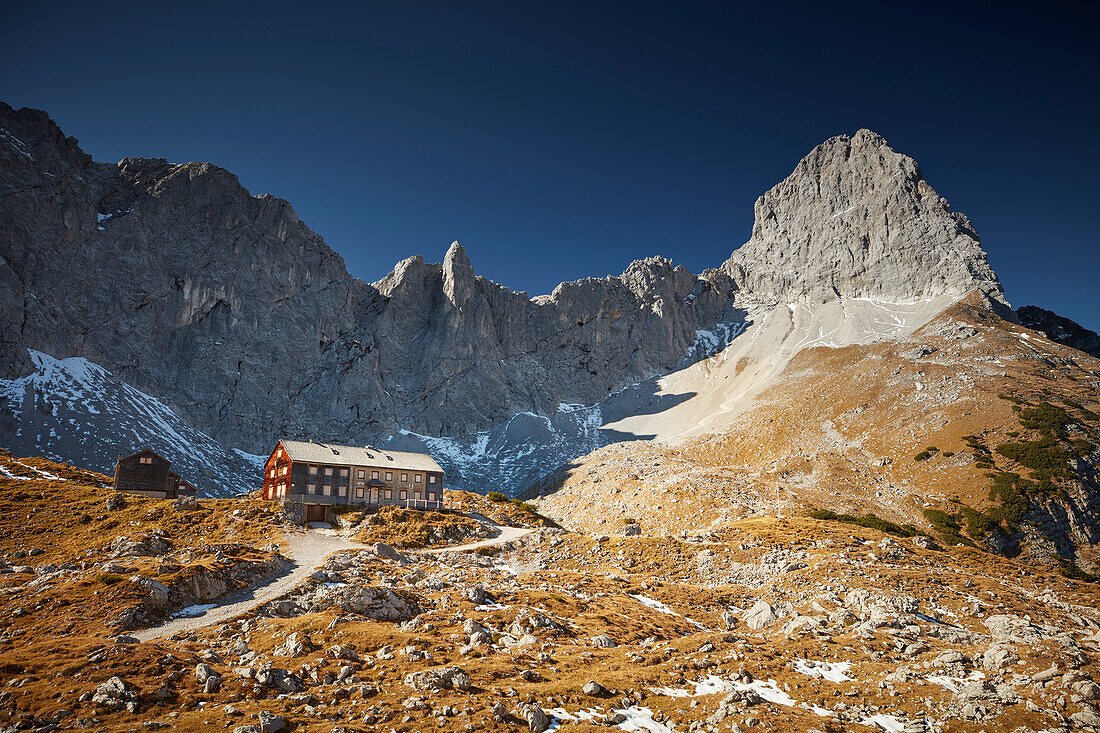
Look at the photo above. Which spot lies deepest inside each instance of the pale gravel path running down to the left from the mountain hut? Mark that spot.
(307, 552)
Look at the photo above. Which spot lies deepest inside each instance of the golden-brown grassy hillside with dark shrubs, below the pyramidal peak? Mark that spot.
(973, 430)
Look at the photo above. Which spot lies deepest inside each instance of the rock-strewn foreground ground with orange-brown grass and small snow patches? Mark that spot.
(758, 625)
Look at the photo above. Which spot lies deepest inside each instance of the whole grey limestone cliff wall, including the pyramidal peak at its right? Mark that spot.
(227, 305)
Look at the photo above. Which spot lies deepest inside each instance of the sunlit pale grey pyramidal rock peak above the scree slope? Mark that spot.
(857, 220)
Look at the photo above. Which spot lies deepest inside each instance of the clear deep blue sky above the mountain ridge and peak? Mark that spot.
(558, 141)
